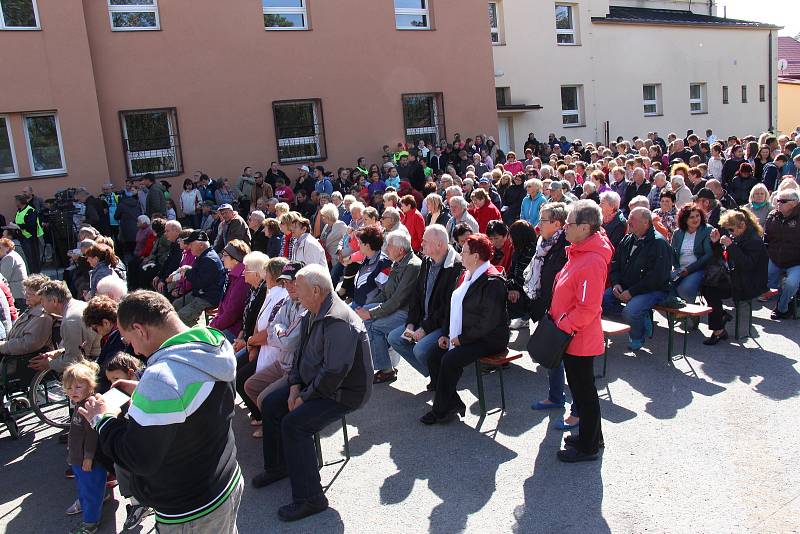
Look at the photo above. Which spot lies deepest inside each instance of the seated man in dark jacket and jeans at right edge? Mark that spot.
(782, 235)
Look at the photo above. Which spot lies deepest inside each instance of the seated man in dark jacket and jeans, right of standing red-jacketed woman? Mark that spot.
(640, 276)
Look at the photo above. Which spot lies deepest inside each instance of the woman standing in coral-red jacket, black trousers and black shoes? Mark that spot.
(576, 308)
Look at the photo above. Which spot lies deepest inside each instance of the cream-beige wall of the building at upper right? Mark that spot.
(607, 64)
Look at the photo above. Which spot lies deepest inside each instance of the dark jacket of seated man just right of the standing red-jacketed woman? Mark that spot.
(647, 269)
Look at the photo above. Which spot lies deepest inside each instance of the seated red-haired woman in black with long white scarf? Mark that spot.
(478, 327)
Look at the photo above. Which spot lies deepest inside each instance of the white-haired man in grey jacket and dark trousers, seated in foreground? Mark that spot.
(331, 377)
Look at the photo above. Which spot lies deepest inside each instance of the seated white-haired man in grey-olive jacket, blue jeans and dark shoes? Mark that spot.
(389, 310)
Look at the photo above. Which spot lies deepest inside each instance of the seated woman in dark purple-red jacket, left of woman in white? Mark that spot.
(229, 313)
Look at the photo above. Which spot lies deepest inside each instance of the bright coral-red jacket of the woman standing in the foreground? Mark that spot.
(577, 304)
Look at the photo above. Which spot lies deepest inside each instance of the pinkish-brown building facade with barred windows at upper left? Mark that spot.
(95, 91)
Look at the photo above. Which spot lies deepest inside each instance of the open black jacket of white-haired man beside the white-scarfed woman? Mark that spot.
(439, 303)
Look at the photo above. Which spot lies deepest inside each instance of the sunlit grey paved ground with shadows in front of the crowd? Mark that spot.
(707, 445)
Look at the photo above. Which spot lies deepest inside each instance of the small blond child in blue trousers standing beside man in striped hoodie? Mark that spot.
(80, 381)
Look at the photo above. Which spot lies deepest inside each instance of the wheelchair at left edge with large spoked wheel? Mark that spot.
(24, 390)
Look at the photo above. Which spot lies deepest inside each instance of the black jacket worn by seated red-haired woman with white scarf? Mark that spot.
(484, 315)
